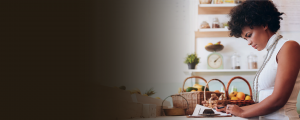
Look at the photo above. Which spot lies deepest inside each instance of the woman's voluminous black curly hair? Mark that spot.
(253, 13)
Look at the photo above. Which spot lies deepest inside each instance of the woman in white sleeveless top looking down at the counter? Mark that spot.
(277, 81)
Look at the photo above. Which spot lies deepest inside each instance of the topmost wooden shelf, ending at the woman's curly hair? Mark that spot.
(215, 8)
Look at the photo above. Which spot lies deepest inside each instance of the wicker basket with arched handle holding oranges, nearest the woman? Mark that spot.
(240, 102)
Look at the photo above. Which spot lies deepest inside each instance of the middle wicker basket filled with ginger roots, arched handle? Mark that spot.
(214, 103)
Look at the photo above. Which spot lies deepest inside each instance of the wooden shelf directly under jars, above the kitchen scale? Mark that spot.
(212, 33)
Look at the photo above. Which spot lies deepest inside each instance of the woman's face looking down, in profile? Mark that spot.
(257, 37)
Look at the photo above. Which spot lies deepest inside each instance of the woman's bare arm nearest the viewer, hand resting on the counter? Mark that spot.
(288, 60)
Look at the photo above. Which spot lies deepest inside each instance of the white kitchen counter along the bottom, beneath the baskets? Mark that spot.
(185, 118)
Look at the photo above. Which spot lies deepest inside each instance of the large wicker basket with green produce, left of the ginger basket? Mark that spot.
(193, 98)
